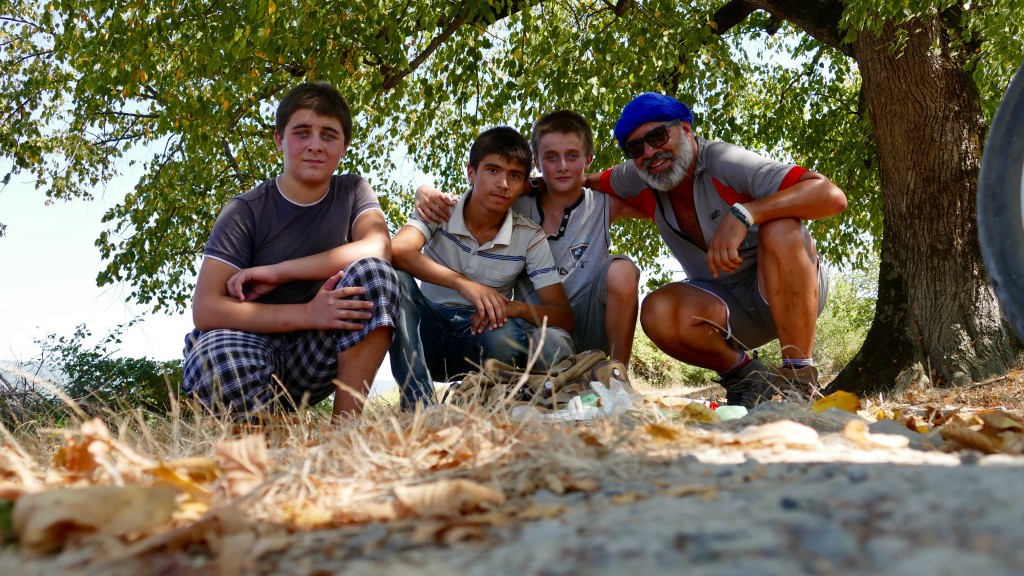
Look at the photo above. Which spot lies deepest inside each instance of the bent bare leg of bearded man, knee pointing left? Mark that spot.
(685, 322)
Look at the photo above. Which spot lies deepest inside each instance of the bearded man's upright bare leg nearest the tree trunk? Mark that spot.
(789, 277)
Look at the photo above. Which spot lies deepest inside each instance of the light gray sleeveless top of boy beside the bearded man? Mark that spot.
(580, 245)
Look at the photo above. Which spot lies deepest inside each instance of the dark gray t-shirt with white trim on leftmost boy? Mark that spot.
(263, 227)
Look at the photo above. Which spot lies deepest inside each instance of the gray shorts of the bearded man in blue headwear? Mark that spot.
(750, 321)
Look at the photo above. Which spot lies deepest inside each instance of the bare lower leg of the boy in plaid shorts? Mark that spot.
(358, 368)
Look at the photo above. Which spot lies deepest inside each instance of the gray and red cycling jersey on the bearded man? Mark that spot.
(724, 175)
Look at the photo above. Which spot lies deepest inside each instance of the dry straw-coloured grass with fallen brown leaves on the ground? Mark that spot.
(443, 476)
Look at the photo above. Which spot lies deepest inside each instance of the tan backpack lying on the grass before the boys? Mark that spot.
(549, 390)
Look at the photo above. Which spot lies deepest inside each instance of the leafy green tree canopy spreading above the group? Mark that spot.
(194, 87)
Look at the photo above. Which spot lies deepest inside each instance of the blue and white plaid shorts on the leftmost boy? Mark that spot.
(240, 372)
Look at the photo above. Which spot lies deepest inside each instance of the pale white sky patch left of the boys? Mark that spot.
(50, 279)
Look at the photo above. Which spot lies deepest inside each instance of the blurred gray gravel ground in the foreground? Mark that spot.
(828, 508)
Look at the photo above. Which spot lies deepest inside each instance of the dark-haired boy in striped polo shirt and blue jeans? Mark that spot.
(462, 313)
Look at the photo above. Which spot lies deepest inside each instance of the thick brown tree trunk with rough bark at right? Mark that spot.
(937, 319)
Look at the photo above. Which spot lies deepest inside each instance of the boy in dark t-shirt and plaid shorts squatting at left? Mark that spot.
(295, 290)
